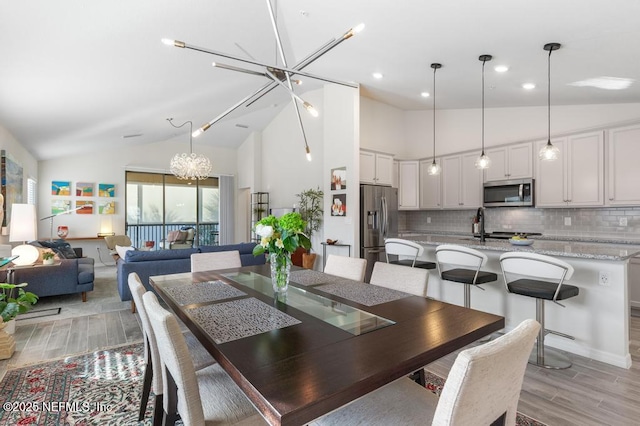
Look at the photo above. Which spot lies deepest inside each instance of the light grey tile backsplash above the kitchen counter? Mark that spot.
(585, 222)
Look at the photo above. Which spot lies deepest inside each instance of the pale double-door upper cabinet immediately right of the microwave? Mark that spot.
(576, 178)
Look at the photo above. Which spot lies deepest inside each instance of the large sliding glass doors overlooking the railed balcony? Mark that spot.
(158, 204)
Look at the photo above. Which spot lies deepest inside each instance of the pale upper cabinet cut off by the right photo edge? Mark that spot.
(623, 171)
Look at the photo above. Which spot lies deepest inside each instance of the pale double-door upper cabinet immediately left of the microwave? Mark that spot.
(461, 182)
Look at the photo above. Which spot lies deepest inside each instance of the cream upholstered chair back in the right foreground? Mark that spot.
(485, 381)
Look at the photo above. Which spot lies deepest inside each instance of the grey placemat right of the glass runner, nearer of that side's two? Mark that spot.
(363, 293)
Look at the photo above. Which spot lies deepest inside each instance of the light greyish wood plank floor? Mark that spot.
(589, 393)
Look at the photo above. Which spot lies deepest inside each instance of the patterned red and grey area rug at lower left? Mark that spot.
(99, 388)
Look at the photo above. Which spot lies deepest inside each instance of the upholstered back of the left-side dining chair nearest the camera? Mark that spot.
(176, 360)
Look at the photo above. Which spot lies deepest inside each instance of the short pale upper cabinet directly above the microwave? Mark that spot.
(510, 162)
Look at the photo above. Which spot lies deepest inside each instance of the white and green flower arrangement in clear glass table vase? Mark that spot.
(280, 237)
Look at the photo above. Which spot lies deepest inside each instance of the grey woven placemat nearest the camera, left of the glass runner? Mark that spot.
(236, 319)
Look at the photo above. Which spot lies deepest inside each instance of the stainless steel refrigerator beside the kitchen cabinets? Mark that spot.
(378, 220)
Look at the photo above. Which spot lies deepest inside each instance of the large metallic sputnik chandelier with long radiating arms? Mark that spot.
(277, 75)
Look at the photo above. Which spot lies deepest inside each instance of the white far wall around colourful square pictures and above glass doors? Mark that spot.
(109, 167)
